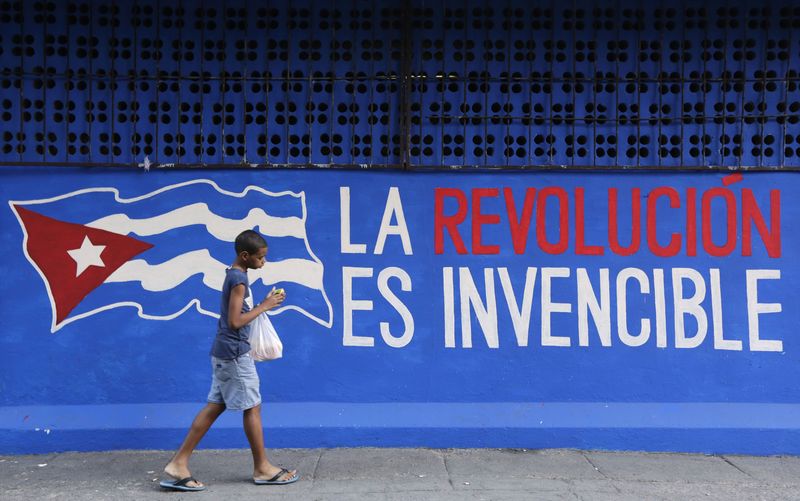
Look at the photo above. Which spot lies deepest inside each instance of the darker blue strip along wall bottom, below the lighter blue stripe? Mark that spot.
(756, 442)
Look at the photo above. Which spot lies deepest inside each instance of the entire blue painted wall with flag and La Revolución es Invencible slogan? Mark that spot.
(614, 310)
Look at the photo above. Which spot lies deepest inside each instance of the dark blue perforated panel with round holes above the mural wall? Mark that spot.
(488, 84)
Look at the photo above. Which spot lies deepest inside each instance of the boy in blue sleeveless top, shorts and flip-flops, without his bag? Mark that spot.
(235, 383)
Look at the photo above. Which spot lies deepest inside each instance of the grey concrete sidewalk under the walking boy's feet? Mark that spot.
(409, 474)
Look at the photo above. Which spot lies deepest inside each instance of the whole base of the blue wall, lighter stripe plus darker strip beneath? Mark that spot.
(732, 428)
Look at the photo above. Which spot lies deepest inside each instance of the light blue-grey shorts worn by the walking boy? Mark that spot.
(235, 383)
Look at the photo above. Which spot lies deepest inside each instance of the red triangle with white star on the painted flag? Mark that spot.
(73, 259)
